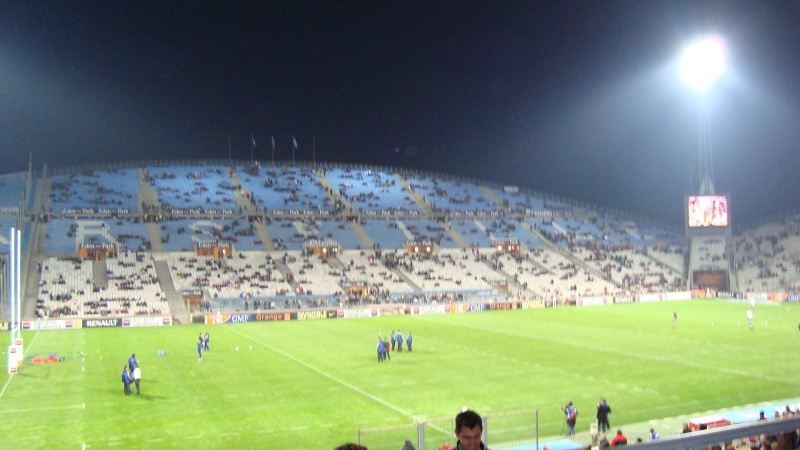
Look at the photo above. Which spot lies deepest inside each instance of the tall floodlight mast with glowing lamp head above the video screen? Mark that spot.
(702, 64)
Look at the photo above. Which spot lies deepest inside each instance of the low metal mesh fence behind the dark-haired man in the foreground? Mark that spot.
(505, 430)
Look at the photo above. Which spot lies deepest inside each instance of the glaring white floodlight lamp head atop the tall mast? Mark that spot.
(703, 63)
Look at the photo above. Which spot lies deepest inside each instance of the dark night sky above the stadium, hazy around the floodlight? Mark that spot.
(580, 99)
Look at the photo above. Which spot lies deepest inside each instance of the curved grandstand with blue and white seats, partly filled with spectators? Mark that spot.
(189, 237)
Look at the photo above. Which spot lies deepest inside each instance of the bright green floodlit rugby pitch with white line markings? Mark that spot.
(313, 384)
